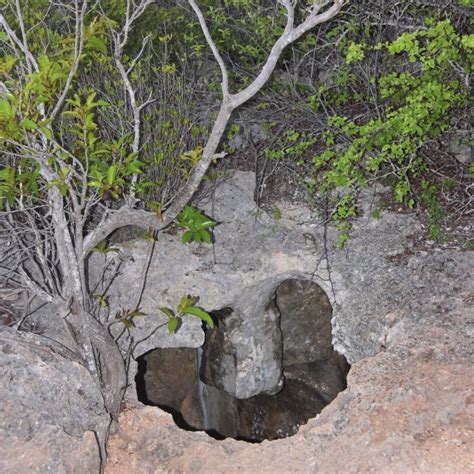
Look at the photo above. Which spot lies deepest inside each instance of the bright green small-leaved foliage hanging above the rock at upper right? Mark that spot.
(416, 98)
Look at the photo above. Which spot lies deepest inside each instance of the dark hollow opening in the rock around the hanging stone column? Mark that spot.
(312, 372)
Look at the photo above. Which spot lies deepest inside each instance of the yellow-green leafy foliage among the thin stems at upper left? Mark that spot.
(76, 142)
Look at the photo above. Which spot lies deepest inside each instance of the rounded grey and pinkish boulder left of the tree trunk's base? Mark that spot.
(51, 412)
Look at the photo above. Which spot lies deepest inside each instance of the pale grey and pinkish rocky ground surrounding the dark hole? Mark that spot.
(402, 316)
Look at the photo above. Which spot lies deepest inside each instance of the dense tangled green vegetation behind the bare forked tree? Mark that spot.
(378, 94)
